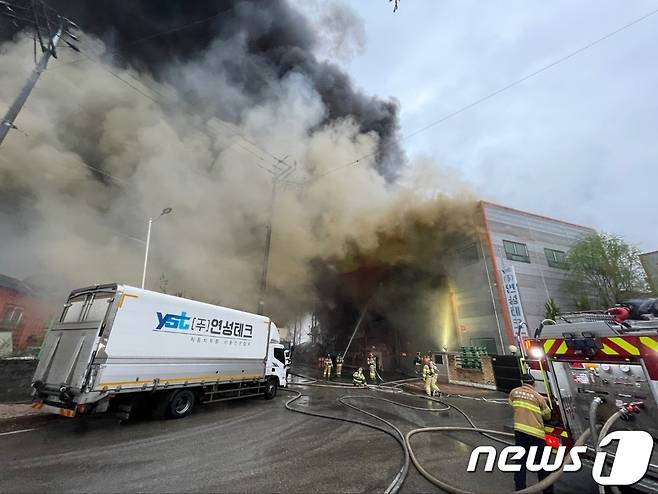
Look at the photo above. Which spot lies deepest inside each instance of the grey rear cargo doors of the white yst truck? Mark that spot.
(71, 343)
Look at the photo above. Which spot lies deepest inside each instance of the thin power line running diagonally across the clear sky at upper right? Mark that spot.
(494, 93)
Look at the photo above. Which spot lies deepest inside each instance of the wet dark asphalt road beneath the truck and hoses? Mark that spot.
(254, 445)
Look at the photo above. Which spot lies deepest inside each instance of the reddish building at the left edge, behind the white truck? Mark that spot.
(34, 321)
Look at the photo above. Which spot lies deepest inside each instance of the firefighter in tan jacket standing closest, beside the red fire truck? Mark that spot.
(530, 410)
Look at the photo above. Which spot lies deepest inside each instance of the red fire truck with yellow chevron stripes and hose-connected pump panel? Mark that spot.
(589, 366)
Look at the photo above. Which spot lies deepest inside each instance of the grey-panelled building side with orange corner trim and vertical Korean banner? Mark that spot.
(502, 283)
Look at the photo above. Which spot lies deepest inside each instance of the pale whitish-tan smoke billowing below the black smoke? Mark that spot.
(93, 159)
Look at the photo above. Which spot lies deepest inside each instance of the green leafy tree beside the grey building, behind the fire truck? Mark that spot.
(604, 270)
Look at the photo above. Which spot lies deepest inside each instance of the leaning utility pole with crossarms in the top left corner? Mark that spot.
(48, 28)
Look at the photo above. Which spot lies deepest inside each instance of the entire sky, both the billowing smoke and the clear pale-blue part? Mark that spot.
(322, 84)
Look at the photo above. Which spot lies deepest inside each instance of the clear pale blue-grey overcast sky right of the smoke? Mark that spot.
(577, 142)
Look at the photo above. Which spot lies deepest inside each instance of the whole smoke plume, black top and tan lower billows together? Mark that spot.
(93, 158)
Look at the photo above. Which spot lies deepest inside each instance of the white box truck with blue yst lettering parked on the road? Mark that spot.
(119, 348)
